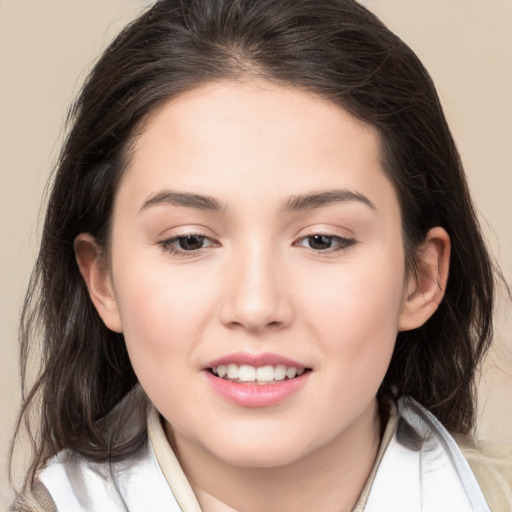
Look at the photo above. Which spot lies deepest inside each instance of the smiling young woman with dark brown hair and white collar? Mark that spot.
(261, 285)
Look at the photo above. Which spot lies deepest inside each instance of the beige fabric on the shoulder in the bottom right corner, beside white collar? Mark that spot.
(491, 464)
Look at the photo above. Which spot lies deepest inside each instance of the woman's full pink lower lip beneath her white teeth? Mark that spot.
(256, 395)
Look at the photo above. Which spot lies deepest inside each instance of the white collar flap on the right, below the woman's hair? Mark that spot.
(423, 469)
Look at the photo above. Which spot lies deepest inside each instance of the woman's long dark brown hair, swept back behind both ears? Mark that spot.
(333, 48)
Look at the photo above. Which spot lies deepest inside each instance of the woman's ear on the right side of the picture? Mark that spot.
(425, 287)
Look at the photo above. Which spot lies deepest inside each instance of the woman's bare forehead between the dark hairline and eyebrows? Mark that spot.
(237, 139)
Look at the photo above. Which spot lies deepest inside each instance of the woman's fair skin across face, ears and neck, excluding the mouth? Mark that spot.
(257, 285)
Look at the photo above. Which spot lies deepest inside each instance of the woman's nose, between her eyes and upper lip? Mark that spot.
(256, 296)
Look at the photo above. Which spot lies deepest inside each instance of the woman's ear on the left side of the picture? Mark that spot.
(98, 280)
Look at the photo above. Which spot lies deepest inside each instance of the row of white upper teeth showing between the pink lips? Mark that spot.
(247, 374)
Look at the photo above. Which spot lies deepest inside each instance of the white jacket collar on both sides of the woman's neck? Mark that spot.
(419, 468)
